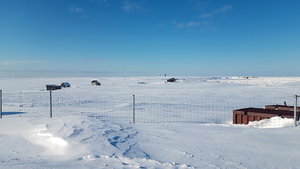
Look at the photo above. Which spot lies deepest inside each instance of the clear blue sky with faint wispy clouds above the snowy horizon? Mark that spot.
(151, 37)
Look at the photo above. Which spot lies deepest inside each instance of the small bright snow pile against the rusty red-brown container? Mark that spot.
(274, 122)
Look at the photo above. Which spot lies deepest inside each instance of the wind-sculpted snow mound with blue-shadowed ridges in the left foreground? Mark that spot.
(75, 142)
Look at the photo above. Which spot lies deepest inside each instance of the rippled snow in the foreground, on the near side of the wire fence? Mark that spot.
(92, 142)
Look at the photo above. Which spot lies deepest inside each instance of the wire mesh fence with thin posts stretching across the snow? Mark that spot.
(141, 109)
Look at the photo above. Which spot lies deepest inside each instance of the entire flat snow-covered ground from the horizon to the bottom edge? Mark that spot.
(92, 126)
